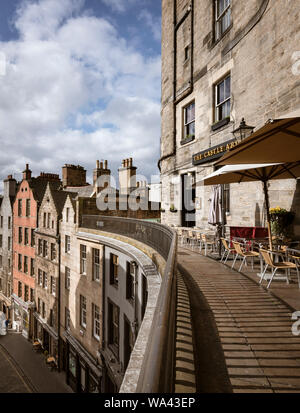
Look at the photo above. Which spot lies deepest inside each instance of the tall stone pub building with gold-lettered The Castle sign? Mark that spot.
(222, 61)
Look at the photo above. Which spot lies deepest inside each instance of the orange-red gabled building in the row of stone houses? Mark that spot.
(25, 221)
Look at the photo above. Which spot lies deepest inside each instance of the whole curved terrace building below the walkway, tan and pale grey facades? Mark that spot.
(102, 299)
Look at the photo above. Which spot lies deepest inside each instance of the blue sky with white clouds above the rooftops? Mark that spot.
(79, 81)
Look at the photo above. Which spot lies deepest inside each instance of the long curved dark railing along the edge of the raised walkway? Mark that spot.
(158, 367)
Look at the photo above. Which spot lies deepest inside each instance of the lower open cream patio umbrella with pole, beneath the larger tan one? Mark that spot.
(254, 172)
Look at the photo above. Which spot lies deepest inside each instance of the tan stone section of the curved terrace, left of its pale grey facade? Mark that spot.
(80, 297)
